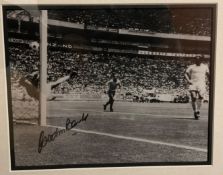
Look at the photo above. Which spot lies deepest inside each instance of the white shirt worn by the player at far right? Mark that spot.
(196, 73)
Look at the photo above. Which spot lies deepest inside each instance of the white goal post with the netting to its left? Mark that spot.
(28, 77)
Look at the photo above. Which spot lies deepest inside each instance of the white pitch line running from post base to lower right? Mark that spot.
(135, 139)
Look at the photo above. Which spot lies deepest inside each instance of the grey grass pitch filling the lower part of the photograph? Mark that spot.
(134, 133)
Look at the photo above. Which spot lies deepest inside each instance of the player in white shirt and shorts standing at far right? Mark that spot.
(196, 77)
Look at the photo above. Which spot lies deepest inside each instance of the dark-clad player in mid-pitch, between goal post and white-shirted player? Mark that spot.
(112, 86)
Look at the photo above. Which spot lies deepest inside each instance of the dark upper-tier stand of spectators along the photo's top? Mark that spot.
(163, 20)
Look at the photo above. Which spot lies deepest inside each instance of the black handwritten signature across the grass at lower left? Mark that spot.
(43, 140)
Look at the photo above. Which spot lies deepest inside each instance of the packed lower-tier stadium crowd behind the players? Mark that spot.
(95, 69)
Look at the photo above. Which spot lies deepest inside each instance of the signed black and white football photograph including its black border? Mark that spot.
(110, 86)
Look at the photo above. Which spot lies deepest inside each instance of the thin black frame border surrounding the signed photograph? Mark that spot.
(89, 165)
